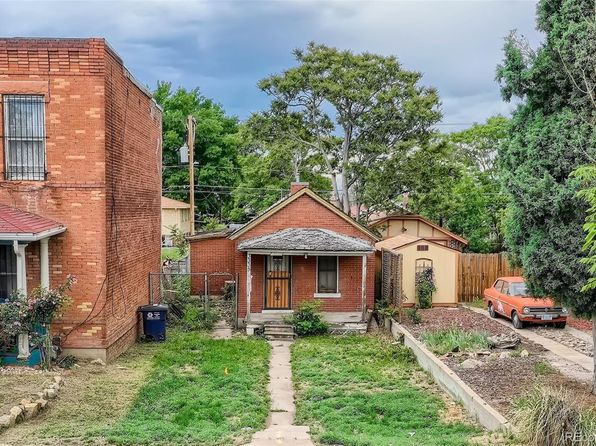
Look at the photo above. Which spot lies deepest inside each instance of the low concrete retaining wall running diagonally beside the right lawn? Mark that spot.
(479, 409)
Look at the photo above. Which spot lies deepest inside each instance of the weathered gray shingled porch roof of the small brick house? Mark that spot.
(306, 240)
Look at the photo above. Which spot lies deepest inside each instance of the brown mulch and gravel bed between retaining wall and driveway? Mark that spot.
(500, 376)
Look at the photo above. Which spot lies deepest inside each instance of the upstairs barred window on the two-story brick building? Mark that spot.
(24, 137)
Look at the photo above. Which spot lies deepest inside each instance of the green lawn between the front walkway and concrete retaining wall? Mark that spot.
(357, 391)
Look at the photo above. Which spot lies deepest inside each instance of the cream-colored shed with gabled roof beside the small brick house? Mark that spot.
(417, 254)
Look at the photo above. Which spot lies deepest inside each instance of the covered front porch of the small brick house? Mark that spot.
(287, 267)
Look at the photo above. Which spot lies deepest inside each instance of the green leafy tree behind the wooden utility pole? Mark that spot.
(217, 169)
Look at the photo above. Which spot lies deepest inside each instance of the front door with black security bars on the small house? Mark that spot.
(277, 283)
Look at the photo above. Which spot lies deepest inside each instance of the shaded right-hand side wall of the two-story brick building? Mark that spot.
(133, 196)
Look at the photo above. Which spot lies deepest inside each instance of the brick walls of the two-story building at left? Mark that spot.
(72, 76)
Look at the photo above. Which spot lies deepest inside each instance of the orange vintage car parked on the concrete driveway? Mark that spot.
(508, 297)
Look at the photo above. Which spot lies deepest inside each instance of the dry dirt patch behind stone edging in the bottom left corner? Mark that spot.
(18, 383)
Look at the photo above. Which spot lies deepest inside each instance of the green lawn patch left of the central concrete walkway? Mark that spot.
(200, 392)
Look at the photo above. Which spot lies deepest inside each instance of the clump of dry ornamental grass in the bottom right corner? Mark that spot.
(555, 417)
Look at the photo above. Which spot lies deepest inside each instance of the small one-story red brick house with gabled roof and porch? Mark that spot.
(301, 248)
